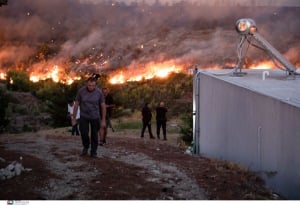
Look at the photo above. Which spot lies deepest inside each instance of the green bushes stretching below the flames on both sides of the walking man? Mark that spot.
(129, 98)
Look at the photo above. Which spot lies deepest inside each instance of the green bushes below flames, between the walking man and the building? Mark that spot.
(174, 91)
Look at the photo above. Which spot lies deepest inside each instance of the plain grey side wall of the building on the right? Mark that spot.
(257, 131)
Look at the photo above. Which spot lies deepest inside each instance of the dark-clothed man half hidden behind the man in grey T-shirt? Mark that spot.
(109, 102)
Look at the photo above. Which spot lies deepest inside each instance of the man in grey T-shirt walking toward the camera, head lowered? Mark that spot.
(91, 100)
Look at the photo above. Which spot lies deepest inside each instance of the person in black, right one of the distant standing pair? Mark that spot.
(161, 120)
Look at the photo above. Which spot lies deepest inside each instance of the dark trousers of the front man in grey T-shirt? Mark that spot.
(85, 124)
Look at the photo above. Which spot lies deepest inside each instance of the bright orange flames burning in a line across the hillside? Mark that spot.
(122, 75)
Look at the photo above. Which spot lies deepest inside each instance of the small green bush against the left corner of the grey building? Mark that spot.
(186, 127)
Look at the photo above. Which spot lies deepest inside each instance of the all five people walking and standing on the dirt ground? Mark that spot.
(94, 107)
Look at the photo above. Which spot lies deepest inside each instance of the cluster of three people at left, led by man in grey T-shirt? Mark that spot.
(95, 107)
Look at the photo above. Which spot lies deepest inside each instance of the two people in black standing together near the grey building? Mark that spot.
(161, 120)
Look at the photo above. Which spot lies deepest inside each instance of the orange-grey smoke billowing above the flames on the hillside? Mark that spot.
(84, 37)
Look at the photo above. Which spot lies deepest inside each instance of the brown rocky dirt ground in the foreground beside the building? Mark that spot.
(127, 168)
